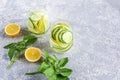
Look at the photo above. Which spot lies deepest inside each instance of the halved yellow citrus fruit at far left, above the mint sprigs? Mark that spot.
(12, 29)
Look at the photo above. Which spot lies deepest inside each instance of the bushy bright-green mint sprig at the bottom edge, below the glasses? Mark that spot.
(53, 68)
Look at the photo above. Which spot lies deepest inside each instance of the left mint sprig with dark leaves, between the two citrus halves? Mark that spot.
(16, 48)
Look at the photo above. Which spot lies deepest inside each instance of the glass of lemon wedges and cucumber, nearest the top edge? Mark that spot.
(38, 23)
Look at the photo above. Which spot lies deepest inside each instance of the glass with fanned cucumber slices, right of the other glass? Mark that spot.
(61, 37)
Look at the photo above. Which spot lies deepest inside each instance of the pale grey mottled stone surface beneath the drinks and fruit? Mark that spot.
(95, 54)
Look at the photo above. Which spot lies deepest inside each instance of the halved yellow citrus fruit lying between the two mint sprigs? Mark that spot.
(33, 54)
